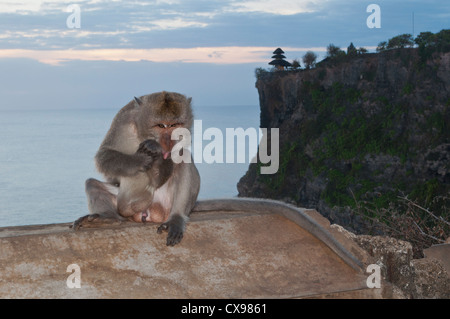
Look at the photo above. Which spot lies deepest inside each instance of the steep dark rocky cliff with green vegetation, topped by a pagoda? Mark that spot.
(362, 129)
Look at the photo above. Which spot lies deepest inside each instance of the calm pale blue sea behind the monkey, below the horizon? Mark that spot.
(46, 156)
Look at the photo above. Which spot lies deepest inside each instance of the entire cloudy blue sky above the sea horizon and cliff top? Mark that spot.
(206, 49)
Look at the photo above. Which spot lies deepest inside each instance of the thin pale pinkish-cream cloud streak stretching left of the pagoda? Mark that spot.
(215, 55)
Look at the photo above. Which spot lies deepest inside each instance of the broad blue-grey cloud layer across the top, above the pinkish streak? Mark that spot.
(107, 24)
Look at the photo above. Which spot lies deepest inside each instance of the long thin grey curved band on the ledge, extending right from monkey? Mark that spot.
(295, 214)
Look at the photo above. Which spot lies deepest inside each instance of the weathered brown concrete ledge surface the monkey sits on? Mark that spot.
(223, 255)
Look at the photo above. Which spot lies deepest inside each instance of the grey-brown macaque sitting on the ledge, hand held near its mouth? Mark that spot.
(143, 184)
